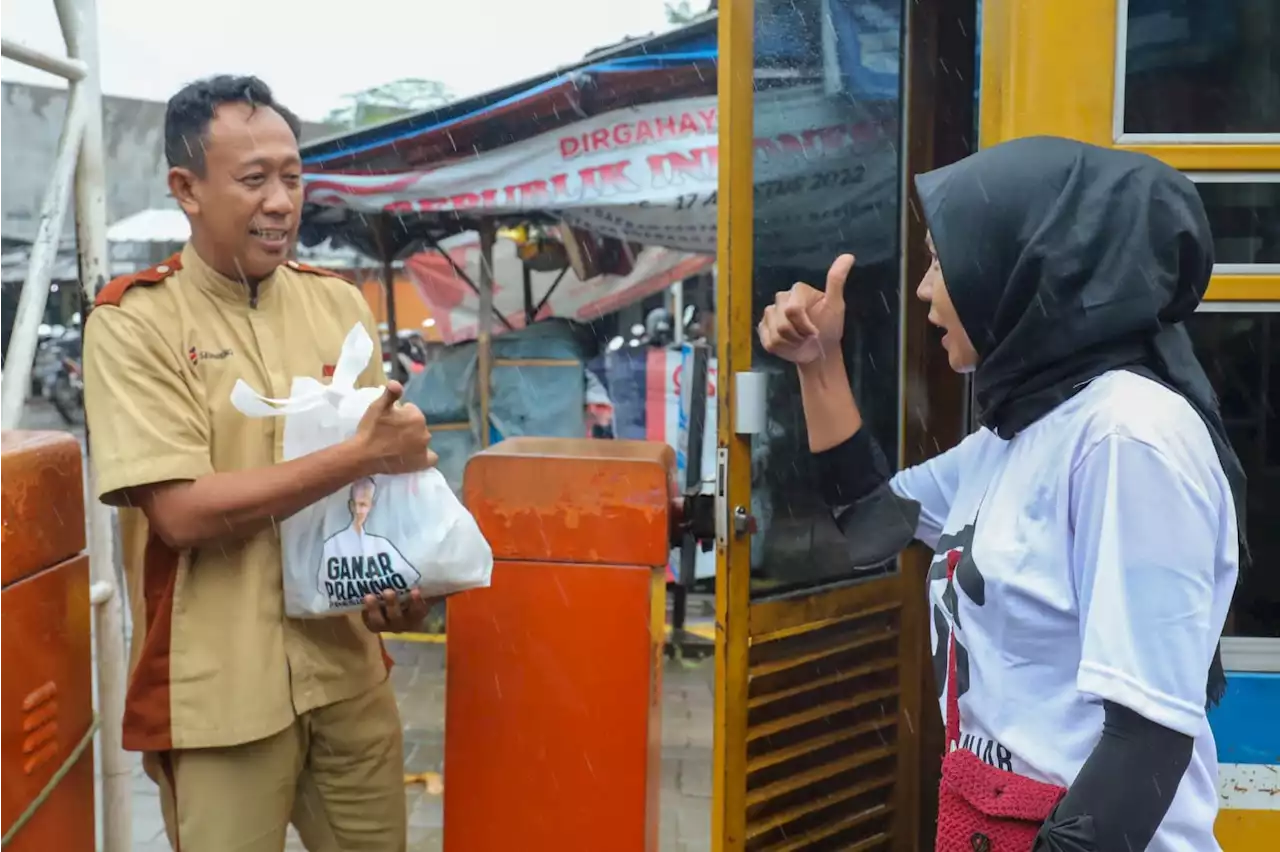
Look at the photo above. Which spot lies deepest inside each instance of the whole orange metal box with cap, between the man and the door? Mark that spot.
(554, 723)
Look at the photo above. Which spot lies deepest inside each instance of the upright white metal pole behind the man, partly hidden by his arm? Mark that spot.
(79, 20)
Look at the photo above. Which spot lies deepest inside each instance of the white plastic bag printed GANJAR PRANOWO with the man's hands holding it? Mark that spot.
(397, 535)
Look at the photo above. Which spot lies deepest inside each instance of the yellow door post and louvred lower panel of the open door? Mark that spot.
(758, 638)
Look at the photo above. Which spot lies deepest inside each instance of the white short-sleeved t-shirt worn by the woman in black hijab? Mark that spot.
(1104, 561)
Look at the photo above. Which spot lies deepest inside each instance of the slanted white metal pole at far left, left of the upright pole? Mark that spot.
(44, 255)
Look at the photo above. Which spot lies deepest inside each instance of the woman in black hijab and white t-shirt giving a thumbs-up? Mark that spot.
(1089, 537)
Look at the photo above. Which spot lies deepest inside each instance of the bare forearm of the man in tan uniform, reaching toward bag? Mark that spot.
(234, 506)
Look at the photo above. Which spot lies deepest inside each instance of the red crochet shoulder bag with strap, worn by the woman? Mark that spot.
(981, 808)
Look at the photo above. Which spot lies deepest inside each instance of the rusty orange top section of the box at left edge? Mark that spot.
(42, 502)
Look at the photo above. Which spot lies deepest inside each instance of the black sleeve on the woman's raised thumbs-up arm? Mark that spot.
(854, 480)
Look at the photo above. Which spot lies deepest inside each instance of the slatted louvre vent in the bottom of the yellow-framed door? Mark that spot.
(822, 735)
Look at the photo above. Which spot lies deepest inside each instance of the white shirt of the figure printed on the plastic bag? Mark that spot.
(356, 564)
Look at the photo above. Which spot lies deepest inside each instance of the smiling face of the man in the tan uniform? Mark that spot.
(245, 209)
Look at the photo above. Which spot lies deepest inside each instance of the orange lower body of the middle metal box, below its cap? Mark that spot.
(555, 722)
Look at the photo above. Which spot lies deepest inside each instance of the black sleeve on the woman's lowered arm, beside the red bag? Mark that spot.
(1123, 791)
